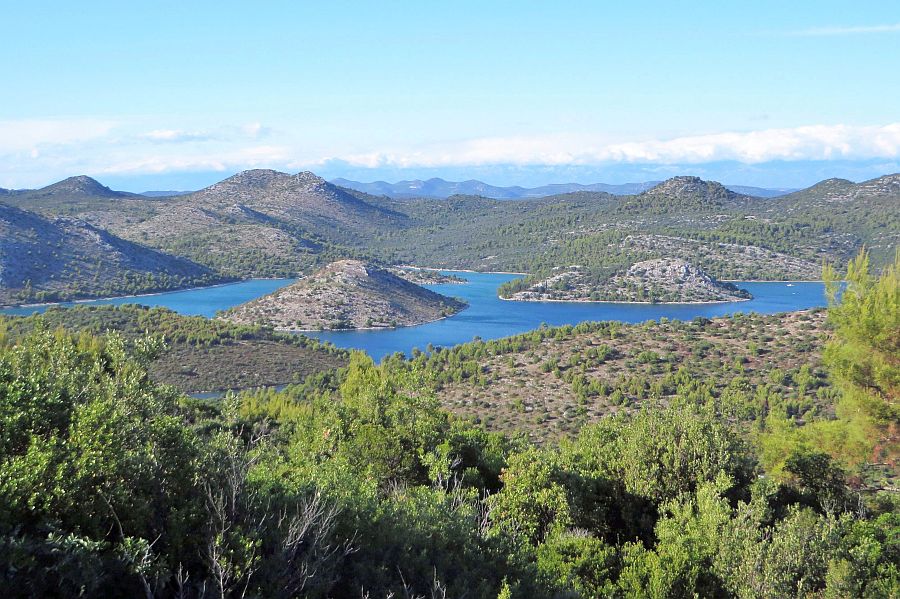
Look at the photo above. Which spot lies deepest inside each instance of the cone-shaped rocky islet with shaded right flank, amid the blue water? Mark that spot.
(348, 294)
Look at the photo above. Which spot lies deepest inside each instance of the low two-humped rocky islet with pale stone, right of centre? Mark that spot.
(662, 280)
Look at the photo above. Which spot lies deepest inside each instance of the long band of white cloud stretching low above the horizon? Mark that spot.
(37, 152)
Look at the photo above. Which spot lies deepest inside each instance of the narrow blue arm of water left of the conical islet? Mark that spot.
(205, 301)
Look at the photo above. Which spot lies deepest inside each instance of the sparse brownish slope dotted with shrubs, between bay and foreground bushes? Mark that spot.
(551, 381)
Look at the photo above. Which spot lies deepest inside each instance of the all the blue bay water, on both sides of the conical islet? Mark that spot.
(487, 316)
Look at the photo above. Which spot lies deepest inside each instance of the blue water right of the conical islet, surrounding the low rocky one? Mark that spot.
(489, 317)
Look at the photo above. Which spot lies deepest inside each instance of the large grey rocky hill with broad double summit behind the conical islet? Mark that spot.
(256, 223)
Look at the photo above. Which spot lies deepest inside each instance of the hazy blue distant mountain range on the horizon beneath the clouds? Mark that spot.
(439, 188)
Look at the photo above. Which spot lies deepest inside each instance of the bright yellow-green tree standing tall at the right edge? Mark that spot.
(862, 358)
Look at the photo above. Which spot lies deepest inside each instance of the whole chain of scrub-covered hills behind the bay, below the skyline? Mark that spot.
(266, 223)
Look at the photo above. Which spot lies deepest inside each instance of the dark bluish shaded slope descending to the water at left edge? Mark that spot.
(64, 258)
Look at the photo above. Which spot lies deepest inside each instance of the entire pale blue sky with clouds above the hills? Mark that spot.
(177, 95)
